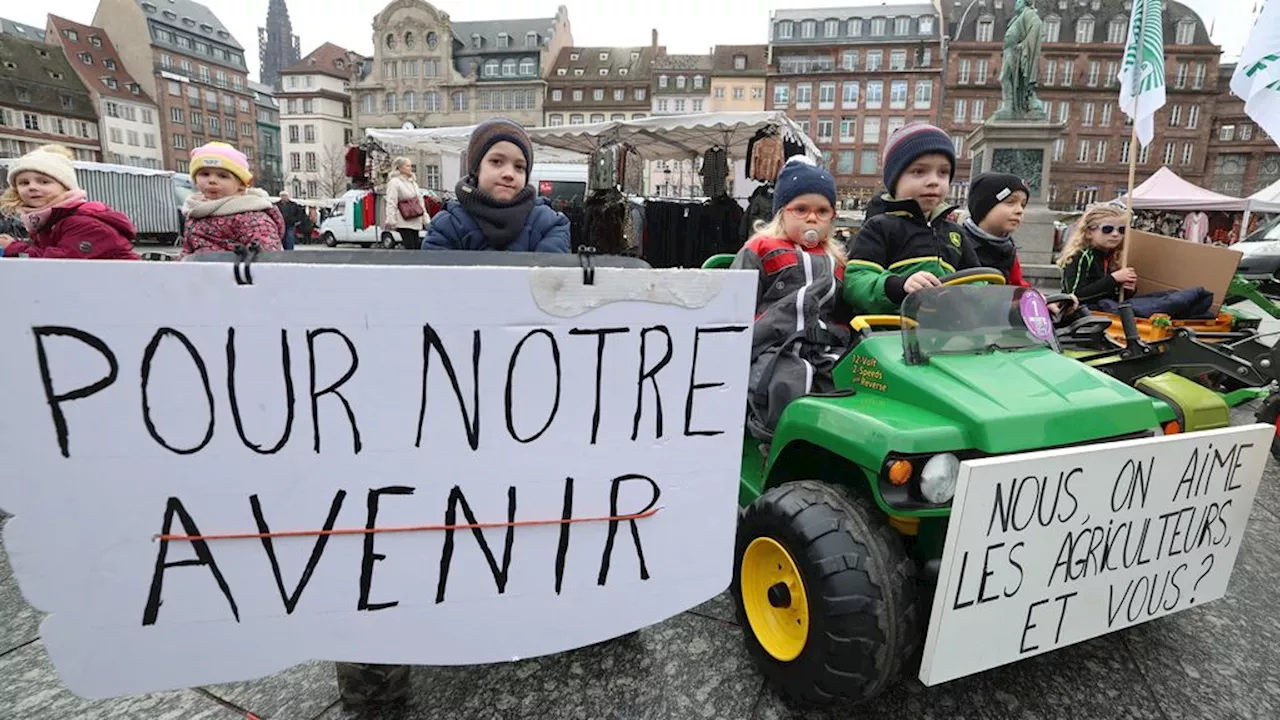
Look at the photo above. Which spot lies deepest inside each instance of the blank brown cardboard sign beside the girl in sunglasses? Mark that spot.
(1168, 263)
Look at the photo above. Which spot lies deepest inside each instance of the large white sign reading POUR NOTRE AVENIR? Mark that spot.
(505, 455)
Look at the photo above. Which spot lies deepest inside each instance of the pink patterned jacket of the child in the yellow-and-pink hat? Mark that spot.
(216, 226)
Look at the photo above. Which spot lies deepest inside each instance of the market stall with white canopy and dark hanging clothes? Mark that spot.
(743, 152)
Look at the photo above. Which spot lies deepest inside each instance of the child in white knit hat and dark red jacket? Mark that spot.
(61, 222)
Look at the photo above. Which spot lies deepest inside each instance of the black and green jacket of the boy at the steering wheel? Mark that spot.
(897, 241)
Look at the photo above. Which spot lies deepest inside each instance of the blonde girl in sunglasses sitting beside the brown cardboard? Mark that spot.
(1092, 256)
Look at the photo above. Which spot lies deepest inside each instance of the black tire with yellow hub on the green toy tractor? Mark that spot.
(825, 594)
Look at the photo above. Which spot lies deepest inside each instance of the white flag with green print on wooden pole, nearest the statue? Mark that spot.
(1142, 75)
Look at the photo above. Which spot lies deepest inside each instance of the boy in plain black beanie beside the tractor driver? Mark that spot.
(996, 206)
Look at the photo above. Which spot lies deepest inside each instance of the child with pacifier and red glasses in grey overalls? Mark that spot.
(801, 318)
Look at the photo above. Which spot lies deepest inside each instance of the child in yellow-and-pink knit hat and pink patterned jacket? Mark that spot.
(226, 212)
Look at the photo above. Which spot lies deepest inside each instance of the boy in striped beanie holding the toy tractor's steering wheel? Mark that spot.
(907, 243)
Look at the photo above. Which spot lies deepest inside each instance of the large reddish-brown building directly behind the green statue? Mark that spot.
(1082, 48)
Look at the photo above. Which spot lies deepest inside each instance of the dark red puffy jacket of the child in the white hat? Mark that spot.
(89, 231)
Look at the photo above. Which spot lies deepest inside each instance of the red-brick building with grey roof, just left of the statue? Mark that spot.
(852, 76)
